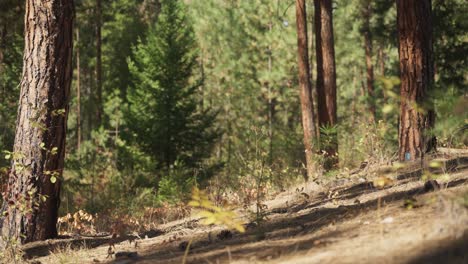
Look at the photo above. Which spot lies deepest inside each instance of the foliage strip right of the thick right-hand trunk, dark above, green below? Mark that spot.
(450, 38)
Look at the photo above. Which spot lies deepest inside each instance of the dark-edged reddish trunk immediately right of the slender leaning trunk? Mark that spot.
(326, 78)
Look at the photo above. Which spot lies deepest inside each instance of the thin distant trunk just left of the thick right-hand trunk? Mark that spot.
(366, 12)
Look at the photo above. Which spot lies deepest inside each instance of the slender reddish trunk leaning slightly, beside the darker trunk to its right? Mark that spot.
(307, 107)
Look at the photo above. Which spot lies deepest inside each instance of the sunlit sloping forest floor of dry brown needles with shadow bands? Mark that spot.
(352, 221)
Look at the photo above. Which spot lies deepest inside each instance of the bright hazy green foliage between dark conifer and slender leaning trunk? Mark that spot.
(249, 59)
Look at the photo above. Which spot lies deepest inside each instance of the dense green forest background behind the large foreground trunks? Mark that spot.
(167, 95)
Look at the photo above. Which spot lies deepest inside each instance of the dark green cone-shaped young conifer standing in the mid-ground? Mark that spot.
(163, 102)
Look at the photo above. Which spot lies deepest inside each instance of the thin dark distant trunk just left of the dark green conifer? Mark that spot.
(99, 104)
